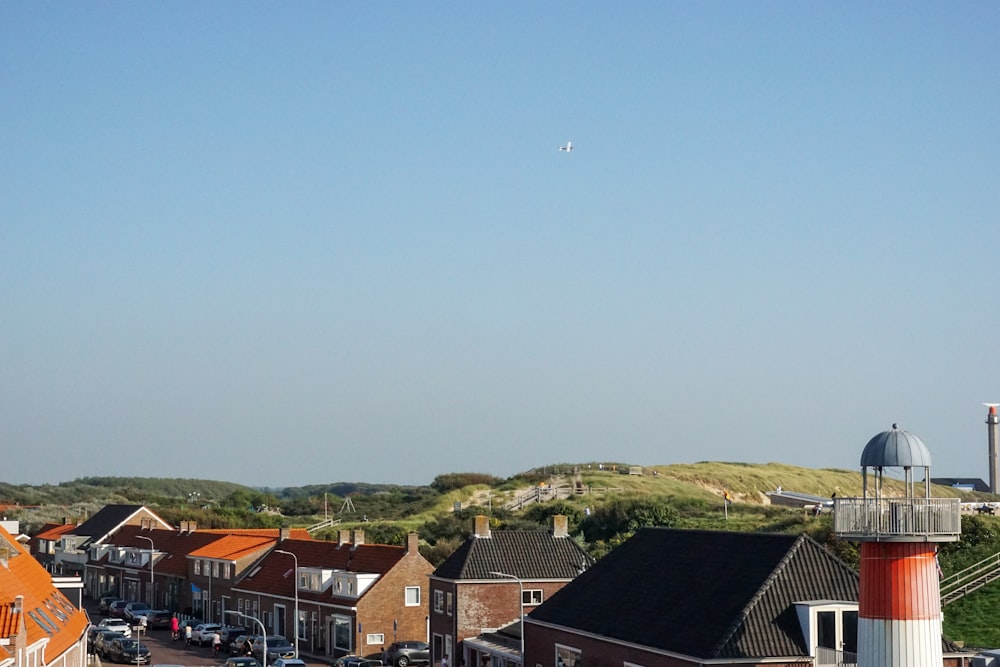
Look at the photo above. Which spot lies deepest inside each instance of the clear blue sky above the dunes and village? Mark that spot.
(299, 243)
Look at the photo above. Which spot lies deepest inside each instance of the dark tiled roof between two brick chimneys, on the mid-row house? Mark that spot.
(527, 554)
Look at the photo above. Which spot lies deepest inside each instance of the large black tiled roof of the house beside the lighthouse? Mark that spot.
(707, 594)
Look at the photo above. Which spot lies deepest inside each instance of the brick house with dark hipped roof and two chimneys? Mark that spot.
(490, 582)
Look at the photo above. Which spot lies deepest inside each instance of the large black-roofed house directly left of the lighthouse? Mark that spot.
(670, 598)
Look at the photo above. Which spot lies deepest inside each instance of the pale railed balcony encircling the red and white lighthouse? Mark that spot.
(898, 519)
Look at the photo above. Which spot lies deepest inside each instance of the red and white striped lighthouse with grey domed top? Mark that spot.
(899, 605)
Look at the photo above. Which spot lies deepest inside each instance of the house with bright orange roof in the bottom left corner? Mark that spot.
(39, 625)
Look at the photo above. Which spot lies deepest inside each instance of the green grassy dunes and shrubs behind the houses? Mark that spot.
(606, 508)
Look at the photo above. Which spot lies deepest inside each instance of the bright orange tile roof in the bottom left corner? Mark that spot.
(46, 612)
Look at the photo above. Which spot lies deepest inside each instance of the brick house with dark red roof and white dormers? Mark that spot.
(351, 597)
